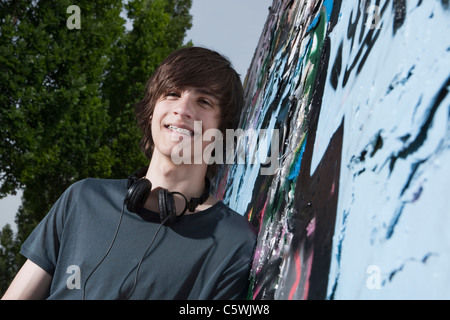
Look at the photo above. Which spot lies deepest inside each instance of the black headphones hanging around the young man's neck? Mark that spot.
(139, 189)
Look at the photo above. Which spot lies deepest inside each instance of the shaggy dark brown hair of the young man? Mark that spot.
(192, 67)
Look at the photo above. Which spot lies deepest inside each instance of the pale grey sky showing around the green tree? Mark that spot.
(230, 27)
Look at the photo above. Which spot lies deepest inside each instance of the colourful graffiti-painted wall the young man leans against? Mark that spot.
(358, 205)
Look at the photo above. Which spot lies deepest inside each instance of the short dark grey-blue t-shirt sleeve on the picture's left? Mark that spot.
(42, 245)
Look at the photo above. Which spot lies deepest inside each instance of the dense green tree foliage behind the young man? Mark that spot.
(67, 95)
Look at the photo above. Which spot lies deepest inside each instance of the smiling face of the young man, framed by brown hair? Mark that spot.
(180, 118)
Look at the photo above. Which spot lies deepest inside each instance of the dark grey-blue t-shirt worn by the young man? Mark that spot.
(206, 255)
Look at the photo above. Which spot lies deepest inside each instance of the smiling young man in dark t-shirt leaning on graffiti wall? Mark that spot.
(111, 239)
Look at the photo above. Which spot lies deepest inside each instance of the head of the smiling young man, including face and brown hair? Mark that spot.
(190, 67)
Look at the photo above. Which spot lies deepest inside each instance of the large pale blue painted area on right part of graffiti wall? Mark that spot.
(393, 209)
